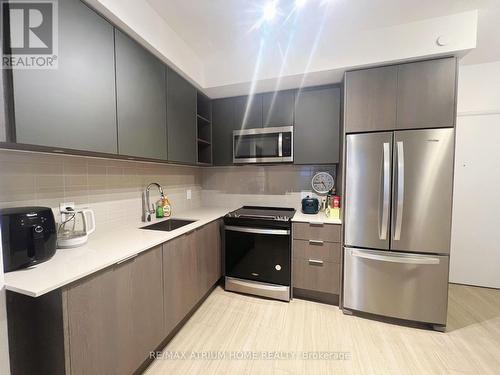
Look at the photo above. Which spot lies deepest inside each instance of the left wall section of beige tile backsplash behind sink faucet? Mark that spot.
(112, 188)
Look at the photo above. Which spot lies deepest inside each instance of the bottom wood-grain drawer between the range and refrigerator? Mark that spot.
(314, 274)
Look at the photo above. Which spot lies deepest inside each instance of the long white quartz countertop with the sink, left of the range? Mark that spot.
(106, 246)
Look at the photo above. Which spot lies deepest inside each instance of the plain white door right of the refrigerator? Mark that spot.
(475, 246)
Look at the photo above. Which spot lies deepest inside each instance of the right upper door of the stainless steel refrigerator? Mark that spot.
(422, 191)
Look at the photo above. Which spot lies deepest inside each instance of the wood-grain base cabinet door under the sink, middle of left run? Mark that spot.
(180, 279)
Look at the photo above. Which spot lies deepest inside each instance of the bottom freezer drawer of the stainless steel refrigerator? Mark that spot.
(400, 285)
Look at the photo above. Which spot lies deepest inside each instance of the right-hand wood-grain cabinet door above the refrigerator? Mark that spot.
(426, 94)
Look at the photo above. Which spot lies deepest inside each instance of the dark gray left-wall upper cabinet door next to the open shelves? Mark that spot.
(181, 119)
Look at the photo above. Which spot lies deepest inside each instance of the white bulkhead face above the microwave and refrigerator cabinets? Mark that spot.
(329, 53)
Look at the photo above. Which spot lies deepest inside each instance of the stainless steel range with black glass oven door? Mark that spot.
(258, 251)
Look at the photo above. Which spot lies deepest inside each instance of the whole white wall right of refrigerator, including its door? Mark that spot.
(475, 254)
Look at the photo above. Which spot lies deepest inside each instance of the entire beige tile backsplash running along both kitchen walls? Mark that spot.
(113, 188)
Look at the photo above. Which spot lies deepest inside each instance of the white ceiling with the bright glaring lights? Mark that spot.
(225, 33)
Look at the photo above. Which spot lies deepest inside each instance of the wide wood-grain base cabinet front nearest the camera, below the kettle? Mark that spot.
(115, 317)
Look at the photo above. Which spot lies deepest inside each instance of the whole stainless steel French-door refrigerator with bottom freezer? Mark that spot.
(398, 202)
